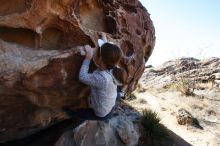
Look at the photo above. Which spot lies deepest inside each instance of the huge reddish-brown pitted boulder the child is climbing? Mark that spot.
(39, 62)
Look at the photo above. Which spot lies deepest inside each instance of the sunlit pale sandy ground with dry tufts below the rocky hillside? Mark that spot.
(204, 106)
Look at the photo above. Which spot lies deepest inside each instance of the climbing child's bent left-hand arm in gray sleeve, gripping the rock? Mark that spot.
(94, 79)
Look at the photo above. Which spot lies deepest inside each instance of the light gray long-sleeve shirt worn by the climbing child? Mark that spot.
(103, 88)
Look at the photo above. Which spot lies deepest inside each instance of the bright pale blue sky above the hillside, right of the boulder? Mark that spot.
(184, 28)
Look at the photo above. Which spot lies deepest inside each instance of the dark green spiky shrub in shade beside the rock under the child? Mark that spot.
(154, 133)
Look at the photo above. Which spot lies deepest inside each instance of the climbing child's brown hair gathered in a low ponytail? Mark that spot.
(111, 55)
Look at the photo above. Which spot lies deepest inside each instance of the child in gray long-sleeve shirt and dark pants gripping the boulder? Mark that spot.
(103, 81)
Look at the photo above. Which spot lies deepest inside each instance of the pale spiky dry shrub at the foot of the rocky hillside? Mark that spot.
(185, 86)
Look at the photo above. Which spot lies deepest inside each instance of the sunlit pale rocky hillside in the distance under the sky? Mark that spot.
(204, 71)
